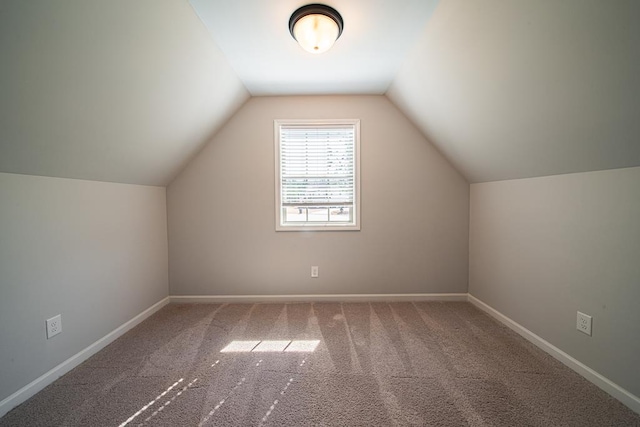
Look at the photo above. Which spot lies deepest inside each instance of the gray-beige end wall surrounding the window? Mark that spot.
(415, 211)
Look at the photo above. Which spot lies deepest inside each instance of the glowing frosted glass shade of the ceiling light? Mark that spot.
(316, 33)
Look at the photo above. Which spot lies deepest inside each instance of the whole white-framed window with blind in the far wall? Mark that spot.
(317, 175)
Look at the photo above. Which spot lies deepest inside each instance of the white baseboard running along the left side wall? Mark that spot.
(44, 380)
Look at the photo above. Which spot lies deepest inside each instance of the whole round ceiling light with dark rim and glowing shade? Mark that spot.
(316, 27)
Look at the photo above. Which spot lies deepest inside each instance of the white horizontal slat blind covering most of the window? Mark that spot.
(317, 165)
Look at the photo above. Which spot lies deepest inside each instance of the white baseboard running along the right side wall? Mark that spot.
(630, 400)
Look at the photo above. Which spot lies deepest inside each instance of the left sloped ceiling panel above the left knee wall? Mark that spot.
(119, 90)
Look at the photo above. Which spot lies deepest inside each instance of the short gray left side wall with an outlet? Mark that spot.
(94, 252)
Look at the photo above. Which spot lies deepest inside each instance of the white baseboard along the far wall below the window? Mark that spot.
(315, 298)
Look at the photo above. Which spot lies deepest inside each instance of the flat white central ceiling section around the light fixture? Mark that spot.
(254, 36)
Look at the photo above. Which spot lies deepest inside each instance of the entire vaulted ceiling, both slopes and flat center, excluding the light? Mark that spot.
(129, 91)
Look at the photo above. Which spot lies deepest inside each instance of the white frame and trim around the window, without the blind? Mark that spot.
(317, 226)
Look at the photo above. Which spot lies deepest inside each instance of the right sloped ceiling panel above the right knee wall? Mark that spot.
(512, 89)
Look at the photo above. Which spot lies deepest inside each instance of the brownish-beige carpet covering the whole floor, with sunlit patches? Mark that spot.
(380, 364)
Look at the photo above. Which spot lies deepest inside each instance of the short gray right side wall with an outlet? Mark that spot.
(543, 248)
